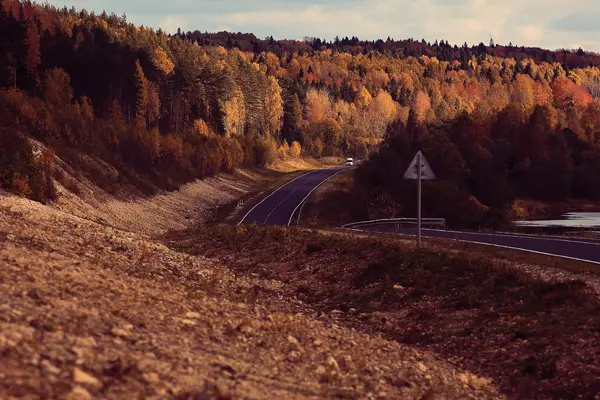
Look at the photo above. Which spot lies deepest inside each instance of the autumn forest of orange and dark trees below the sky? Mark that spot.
(496, 122)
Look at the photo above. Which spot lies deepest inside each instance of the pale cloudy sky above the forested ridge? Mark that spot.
(550, 24)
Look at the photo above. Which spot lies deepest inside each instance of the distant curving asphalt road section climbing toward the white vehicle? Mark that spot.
(279, 207)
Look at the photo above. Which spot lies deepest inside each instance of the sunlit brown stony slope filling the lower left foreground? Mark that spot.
(88, 310)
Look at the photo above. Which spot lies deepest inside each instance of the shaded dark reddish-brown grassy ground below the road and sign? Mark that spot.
(535, 338)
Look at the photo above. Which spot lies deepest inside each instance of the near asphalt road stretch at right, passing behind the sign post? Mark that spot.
(574, 248)
